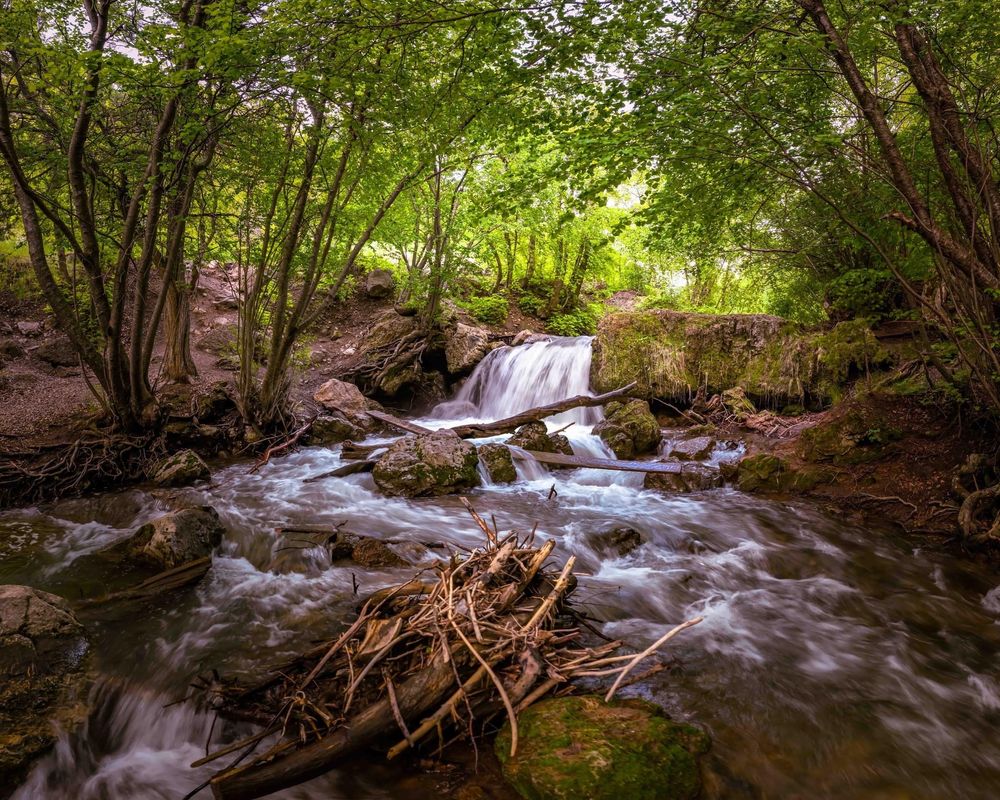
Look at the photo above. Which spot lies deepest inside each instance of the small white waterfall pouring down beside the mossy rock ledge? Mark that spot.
(513, 379)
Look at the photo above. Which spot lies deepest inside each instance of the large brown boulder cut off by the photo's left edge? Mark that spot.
(44, 659)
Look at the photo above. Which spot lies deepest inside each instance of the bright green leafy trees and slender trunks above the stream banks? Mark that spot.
(816, 161)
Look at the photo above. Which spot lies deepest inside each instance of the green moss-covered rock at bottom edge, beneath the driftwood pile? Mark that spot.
(581, 747)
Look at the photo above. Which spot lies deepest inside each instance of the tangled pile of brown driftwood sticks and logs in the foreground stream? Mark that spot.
(477, 638)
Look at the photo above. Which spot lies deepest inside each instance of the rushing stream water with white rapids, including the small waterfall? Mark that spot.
(834, 661)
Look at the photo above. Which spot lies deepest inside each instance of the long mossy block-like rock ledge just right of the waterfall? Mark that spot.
(671, 355)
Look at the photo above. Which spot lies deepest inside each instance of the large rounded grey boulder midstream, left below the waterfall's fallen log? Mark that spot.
(429, 464)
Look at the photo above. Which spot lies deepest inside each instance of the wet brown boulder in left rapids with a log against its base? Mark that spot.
(172, 540)
